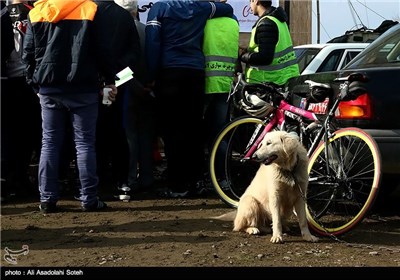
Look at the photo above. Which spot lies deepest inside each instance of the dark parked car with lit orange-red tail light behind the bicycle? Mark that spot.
(378, 110)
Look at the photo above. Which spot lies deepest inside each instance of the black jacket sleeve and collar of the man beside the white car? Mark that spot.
(266, 38)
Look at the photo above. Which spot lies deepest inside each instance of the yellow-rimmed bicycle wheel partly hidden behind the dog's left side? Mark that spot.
(230, 171)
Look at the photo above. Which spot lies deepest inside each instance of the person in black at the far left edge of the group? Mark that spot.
(21, 109)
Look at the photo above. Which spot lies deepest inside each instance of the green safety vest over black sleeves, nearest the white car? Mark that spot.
(284, 64)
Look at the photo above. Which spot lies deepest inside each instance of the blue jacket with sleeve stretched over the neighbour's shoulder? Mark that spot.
(174, 33)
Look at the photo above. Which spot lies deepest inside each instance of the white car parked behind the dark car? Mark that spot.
(313, 58)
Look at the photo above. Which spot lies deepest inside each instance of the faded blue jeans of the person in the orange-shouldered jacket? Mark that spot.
(81, 109)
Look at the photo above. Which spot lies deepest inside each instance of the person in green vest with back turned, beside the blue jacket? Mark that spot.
(221, 50)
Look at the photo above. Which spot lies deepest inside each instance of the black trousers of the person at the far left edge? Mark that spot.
(20, 132)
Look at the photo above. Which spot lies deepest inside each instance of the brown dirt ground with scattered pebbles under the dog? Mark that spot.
(153, 232)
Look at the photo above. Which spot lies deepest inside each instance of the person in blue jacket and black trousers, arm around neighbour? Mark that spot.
(174, 40)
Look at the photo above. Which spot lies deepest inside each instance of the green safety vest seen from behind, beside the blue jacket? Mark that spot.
(220, 48)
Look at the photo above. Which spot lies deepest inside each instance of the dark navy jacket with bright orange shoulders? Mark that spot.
(64, 47)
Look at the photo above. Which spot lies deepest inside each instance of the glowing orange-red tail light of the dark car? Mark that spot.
(360, 108)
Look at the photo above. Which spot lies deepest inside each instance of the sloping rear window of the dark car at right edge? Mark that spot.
(383, 52)
